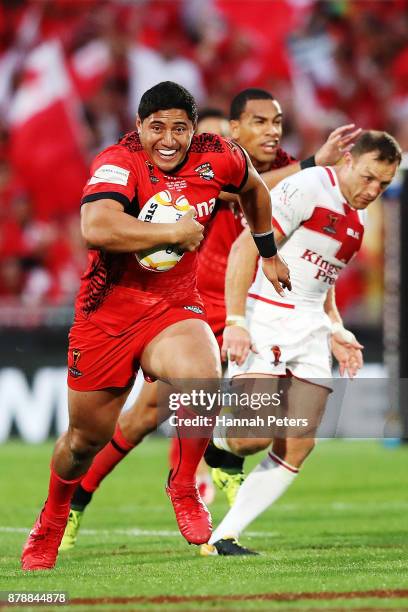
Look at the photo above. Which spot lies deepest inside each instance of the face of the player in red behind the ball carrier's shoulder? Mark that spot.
(259, 130)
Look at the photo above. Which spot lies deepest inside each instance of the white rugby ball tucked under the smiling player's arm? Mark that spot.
(162, 208)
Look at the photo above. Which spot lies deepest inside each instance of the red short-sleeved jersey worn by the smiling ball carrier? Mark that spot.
(115, 290)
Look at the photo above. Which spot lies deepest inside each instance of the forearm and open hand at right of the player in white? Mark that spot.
(344, 345)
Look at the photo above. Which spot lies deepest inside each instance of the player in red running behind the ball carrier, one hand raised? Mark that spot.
(256, 122)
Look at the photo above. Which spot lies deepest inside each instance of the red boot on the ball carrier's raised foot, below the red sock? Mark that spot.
(193, 518)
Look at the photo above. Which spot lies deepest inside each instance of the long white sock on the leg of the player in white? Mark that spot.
(262, 487)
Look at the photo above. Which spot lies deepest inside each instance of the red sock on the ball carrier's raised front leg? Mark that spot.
(190, 449)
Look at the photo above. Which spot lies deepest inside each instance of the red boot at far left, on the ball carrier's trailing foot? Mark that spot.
(41, 548)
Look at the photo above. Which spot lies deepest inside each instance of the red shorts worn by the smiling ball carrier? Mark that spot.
(98, 360)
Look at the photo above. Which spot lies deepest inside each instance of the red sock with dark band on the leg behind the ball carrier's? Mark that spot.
(105, 460)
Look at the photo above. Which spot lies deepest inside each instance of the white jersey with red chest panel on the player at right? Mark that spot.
(323, 234)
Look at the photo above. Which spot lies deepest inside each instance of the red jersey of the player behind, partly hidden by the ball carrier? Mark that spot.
(225, 229)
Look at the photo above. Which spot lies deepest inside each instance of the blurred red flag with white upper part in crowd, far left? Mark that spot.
(45, 134)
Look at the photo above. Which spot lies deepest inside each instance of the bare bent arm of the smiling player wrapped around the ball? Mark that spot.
(105, 225)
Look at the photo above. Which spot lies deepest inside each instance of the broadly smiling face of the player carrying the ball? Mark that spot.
(166, 136)
